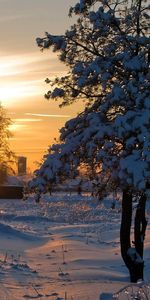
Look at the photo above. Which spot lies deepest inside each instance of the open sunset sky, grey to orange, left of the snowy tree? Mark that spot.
(23, 69)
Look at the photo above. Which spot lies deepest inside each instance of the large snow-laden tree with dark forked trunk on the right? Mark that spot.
(107, 52)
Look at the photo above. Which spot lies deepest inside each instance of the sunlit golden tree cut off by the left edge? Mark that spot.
(6, 155)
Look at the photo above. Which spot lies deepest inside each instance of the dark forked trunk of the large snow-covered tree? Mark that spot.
(133, 257)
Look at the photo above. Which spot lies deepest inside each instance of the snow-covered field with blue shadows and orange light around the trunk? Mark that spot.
(64, 248)
